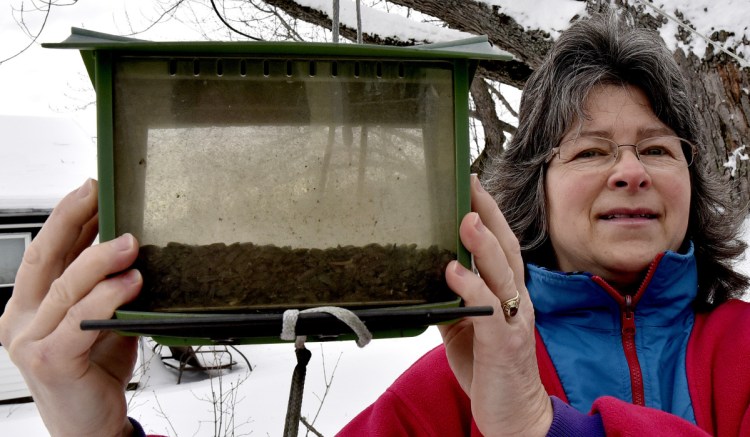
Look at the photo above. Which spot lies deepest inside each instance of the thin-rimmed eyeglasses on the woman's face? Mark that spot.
(596, 153)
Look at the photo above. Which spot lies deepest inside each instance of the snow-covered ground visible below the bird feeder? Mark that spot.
(355, 376)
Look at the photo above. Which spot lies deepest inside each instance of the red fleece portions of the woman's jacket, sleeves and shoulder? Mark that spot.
(427, 400)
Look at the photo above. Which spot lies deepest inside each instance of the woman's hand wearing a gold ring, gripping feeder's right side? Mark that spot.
(494, 358)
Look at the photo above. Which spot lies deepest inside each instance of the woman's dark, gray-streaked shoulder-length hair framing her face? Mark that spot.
(610, 49)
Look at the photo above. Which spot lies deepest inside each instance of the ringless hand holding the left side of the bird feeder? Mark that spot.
(77, 378)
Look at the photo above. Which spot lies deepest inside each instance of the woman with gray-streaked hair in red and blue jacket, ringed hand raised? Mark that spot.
(635, 328)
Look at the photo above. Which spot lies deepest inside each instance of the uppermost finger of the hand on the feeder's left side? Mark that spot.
(68, 227)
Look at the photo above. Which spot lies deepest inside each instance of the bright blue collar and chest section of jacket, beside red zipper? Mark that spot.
(581, 326)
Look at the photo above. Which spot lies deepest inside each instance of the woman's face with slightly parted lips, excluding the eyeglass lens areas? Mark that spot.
(613, 221)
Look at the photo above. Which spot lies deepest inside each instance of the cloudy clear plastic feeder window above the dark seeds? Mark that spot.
(287, 153)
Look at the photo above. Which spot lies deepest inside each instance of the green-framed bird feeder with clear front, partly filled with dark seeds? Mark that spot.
(265, 176)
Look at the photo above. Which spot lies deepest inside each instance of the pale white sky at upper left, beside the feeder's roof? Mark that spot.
(54, 82)
